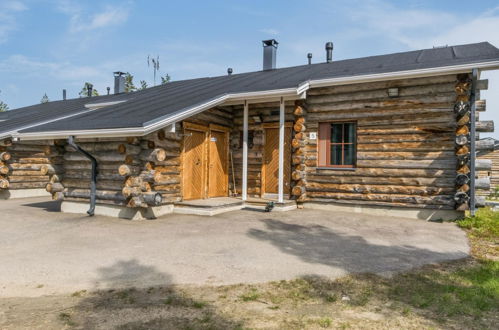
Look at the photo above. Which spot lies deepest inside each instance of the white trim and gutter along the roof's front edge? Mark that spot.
(289, 92)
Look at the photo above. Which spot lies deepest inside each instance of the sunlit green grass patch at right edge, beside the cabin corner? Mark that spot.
(484, 224)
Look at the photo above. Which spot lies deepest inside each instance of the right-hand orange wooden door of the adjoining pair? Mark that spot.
(218, 169)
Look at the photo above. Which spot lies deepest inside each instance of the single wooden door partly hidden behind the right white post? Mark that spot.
(270, 170)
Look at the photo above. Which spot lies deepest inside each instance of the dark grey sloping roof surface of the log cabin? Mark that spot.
(148, 105)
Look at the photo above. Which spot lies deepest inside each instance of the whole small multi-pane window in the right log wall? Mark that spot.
(337, 144)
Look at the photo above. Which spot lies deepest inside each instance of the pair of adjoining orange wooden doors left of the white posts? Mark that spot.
(205, 170)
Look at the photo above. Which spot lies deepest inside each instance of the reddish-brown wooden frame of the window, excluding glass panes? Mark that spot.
(324, 158)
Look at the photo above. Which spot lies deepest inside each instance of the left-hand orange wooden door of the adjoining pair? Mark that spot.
(194, 161)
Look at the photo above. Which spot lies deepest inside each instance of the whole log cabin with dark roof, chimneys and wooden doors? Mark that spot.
(392, 134)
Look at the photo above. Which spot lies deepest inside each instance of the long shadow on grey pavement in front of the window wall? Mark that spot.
(320, 245)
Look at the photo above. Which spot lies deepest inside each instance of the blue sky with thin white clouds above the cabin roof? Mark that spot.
(48, 45)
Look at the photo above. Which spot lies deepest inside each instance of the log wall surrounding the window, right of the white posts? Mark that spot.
(405, 144)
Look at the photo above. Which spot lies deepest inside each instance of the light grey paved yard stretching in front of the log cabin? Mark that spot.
(45, 251)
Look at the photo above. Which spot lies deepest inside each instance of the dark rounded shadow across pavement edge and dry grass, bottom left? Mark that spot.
(160, 307)
